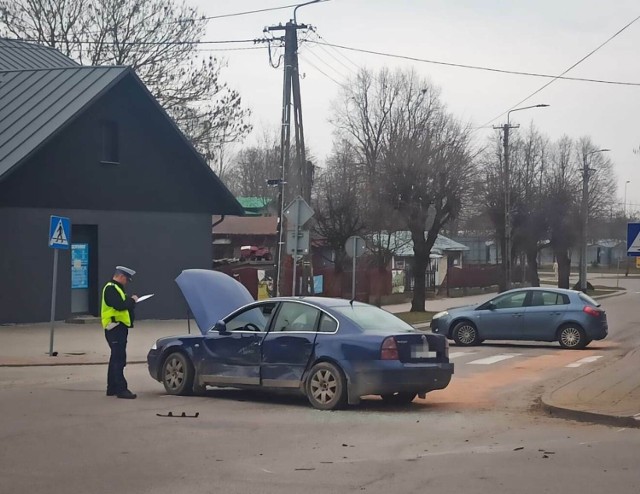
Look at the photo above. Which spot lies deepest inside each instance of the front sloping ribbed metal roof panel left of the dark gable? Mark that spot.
(35, 104)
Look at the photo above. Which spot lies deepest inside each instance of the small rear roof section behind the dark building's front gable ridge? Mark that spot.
(21, 55)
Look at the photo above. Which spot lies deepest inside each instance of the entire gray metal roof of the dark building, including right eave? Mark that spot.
(42, 91)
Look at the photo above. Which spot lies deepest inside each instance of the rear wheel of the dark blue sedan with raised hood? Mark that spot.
(326, 387)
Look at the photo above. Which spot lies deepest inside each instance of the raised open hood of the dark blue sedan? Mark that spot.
(211, 295)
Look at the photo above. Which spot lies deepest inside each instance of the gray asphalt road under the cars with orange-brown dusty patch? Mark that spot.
(483, 434)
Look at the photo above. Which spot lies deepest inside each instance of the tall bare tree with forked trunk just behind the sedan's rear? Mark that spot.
(426, 163)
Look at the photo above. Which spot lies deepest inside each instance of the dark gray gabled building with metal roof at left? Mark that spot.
(92, 144)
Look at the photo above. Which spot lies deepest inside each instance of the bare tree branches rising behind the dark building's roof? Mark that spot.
(158, 39)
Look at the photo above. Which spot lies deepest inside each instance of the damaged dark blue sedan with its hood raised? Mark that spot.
(332, 350)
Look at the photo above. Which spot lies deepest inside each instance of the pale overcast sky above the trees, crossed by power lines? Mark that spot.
(541, 36)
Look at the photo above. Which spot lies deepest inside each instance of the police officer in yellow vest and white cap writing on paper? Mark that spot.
(117, 314)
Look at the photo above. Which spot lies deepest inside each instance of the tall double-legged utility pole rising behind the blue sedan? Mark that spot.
(303, 171)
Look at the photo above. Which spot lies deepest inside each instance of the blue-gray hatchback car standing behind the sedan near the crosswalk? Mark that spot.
(531, 314)
